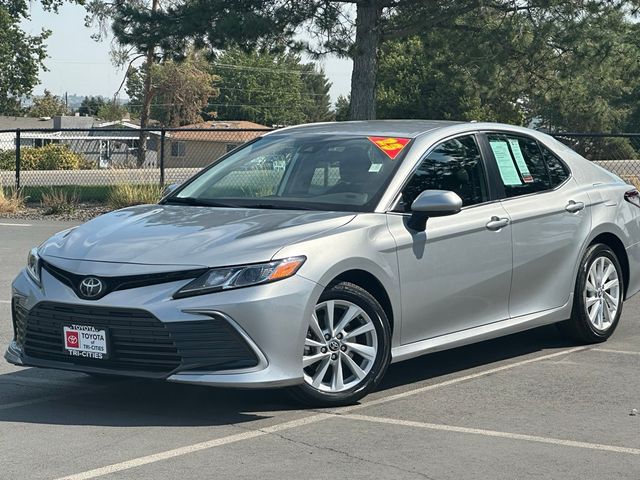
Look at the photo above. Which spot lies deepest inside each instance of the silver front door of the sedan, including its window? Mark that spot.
(456, 274)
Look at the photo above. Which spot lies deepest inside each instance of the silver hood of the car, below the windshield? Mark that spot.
(189, 236)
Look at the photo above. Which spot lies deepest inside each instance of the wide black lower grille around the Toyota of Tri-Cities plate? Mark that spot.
(138, 342)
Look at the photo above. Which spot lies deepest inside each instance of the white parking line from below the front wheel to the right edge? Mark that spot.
(494, 433)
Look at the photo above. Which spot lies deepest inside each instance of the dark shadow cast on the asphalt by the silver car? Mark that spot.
(77, 399)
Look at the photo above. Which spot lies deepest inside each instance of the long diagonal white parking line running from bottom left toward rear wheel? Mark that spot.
(157, 457)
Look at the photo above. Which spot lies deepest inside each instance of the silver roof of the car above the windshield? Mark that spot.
(390, 128)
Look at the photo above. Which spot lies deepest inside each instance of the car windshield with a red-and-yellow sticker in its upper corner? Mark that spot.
(320, 172)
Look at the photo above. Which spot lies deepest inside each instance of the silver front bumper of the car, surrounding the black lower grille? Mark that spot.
(270, 320)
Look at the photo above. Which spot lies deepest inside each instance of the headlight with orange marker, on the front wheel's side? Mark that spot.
(218, 279)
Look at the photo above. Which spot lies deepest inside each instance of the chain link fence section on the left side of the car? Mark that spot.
(89, 159)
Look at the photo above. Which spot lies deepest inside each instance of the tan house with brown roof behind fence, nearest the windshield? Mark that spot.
(202, 143)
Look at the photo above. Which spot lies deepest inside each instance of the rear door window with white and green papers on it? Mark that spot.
(520, 163)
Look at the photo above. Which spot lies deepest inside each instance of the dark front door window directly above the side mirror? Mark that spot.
(454, 165)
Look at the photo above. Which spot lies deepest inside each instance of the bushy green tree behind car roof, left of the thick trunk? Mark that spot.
(270, 88)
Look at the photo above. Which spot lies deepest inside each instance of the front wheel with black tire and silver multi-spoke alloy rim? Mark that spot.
(347, 348)
